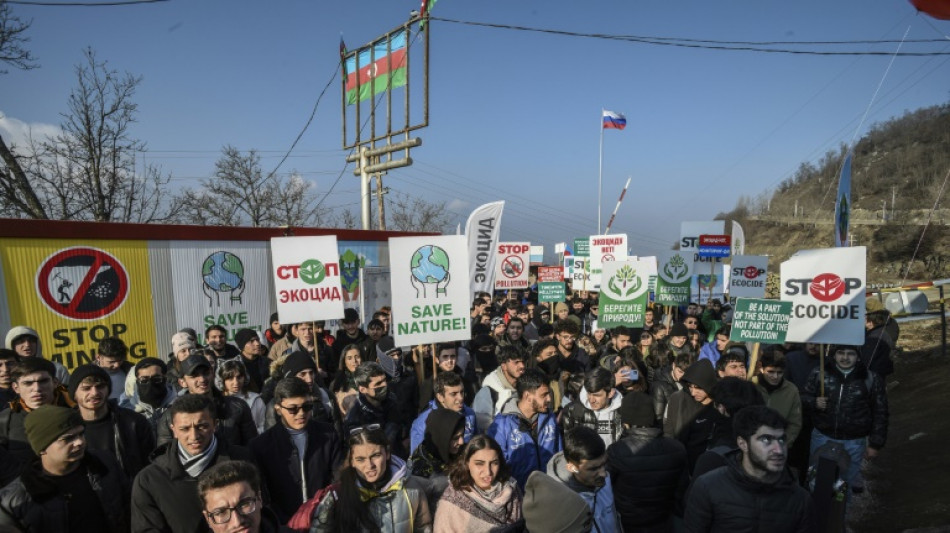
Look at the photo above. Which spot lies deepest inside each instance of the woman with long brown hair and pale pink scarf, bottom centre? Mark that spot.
(482, 495)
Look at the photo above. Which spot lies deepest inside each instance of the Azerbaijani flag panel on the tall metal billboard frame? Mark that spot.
(382, 66)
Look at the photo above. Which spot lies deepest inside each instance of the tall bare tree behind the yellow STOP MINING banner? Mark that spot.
(87, 171)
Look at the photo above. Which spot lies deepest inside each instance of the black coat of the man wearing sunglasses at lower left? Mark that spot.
(283, 472)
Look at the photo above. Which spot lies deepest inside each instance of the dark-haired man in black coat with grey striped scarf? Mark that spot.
(163, 494)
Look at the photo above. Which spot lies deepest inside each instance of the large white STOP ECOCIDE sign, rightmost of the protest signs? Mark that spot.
(827, 290)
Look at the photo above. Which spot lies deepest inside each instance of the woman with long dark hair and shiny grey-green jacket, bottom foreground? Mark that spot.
(373, 492)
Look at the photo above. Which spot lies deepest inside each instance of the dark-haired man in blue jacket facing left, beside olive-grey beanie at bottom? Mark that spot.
(582, 466)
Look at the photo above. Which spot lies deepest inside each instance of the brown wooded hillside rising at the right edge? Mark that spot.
(899, 166)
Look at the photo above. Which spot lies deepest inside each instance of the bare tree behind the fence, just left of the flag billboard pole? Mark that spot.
(239, 193)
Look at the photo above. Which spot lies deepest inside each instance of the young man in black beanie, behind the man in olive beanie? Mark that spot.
(122, 433)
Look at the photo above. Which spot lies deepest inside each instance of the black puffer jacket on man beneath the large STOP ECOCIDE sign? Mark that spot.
(854, 410)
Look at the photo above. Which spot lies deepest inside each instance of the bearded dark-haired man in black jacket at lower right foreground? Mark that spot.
(755, 491)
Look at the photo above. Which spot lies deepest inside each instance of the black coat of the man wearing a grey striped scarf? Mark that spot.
(165, 497)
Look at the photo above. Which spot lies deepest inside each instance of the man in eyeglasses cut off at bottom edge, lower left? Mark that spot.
(230, 494)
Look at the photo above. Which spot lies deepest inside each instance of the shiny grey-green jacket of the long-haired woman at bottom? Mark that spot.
(399, 507)
